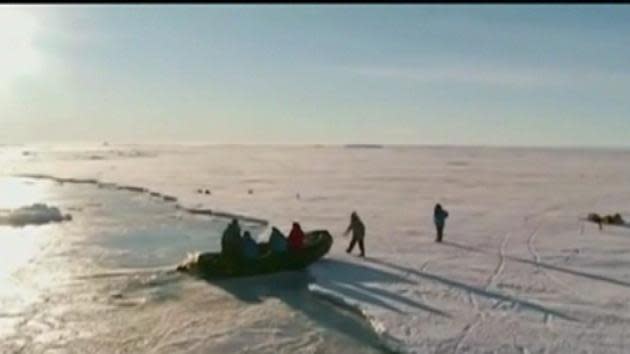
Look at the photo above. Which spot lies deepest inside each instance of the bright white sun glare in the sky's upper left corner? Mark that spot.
(18, 55)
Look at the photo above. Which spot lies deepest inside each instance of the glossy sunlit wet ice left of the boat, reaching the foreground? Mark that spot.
(104, 282)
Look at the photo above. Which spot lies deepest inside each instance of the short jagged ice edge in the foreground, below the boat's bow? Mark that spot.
(387, 340)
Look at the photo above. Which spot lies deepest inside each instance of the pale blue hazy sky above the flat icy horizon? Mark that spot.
(526, 75)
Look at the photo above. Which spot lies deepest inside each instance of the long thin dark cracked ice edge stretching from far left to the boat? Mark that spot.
(142, 190)
